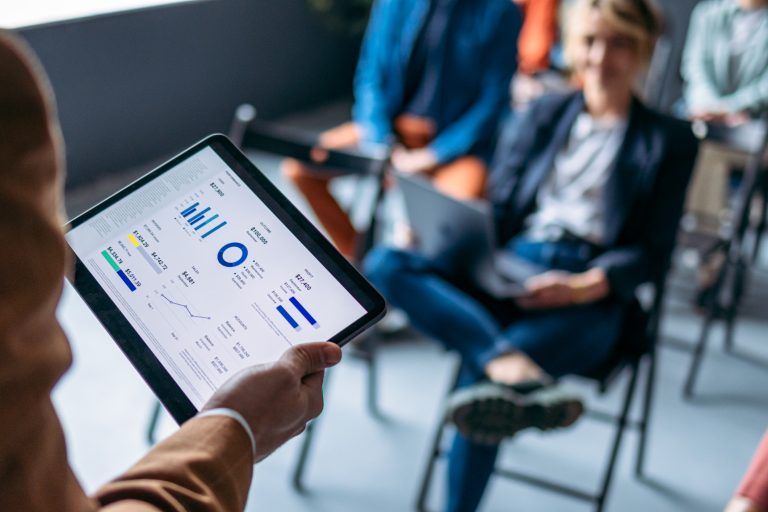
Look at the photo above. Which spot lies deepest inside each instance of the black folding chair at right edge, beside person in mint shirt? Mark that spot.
(727, 289)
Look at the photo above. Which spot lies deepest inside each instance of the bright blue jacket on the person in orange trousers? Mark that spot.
(481, 57)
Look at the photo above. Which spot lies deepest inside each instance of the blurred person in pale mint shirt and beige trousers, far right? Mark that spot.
(725, 73)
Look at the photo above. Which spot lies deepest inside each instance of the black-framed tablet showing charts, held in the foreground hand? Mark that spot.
(202, 268)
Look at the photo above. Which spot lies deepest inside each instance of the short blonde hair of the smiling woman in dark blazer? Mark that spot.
(638, 19)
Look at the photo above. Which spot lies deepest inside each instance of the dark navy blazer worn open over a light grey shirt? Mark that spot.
(645, 193)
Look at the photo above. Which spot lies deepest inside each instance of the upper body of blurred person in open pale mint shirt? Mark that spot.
(725, 62)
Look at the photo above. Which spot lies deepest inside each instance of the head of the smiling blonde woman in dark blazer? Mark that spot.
(609, 43)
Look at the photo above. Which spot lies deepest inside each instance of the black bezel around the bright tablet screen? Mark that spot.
(128, 339)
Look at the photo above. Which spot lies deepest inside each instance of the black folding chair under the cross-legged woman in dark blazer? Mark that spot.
(637, 344)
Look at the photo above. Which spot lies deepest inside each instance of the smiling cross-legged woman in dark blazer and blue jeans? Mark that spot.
(591, 186)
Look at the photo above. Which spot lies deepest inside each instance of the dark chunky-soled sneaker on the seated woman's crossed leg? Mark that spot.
(487, 412)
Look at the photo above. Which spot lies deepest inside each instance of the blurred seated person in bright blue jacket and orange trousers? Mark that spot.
(432, 80)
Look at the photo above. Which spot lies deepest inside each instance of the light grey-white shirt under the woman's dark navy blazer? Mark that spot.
(571, 198)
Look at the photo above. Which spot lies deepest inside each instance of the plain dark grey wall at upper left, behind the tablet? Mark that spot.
(134, 87)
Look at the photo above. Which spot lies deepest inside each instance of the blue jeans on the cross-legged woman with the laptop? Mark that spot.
(562, 341)
